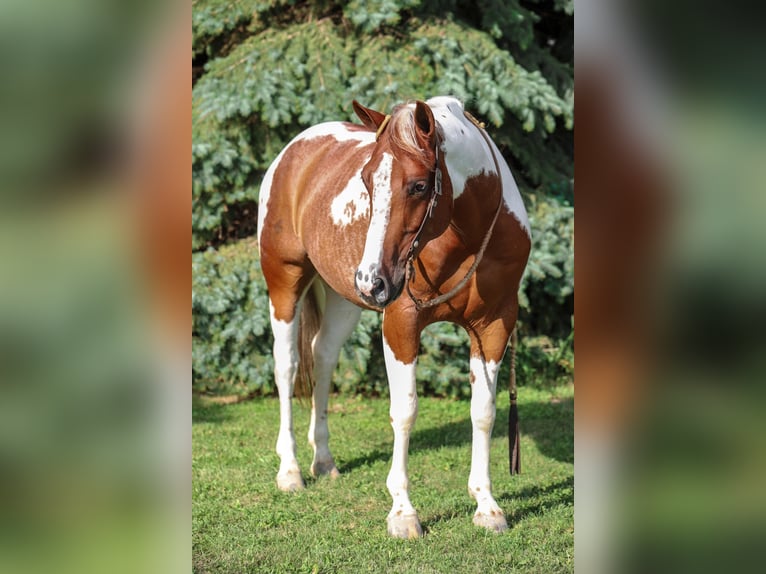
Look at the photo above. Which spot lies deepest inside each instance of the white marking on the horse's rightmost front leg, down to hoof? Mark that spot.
(484, 376)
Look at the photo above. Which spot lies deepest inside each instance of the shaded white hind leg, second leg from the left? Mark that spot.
(339, 319)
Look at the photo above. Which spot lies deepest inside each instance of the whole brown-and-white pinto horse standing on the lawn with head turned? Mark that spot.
(414, 214)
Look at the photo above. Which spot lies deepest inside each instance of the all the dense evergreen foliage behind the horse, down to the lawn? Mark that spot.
(264, 70)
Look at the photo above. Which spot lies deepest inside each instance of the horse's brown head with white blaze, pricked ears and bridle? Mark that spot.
(410, 193)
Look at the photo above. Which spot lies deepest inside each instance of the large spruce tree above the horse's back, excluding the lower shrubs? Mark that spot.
(263, 70)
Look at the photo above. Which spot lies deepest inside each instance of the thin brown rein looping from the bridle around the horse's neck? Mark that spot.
(420, 304)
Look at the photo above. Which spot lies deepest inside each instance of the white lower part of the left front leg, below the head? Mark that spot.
(403, 519)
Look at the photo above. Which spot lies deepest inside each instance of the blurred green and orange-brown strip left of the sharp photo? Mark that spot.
(94, 283)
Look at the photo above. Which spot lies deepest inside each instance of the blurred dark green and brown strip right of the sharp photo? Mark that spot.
(669, 431)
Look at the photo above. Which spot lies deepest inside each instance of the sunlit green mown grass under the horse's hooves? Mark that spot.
(242, 523)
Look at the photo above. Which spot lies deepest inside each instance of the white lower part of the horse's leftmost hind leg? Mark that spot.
(285, 367)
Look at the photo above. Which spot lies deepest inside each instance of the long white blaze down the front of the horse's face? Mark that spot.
(381, 213)
